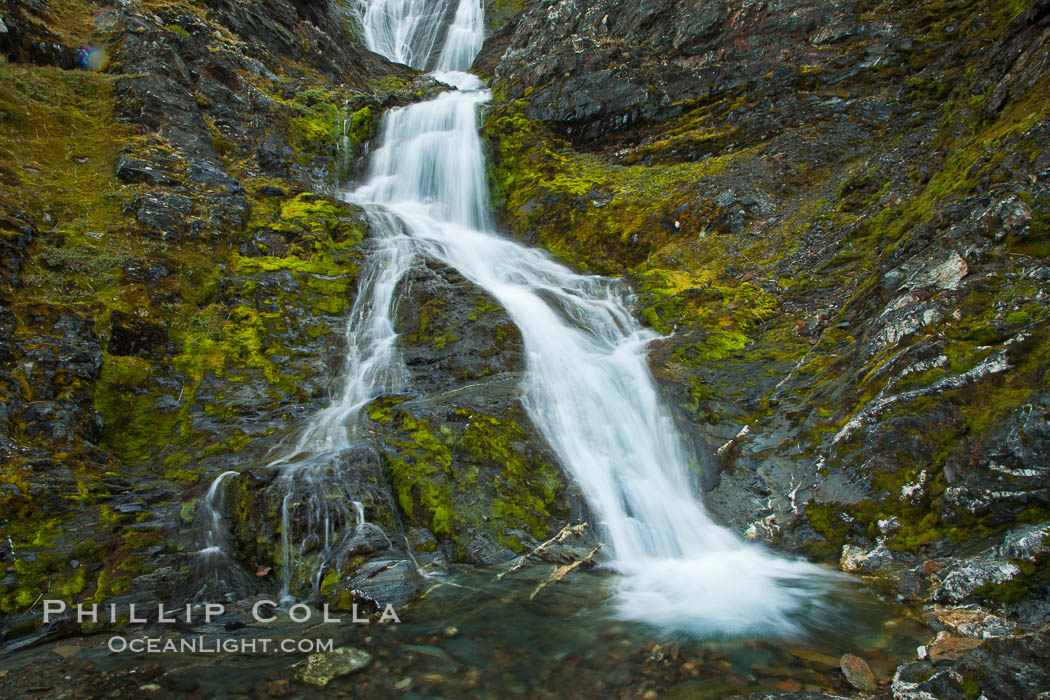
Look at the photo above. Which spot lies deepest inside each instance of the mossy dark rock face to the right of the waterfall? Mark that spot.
(836, 215)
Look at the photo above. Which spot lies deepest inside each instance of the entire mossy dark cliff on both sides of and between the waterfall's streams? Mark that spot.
(835, 213)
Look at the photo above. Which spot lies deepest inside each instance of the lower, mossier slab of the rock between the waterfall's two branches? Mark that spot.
(472, 469)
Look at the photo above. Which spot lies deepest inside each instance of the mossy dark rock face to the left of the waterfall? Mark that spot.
(175, 280)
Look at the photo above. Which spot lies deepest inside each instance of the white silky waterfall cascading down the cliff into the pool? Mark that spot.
(589, 387)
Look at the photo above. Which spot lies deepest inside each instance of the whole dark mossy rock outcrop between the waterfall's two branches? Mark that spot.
(465, 460)
